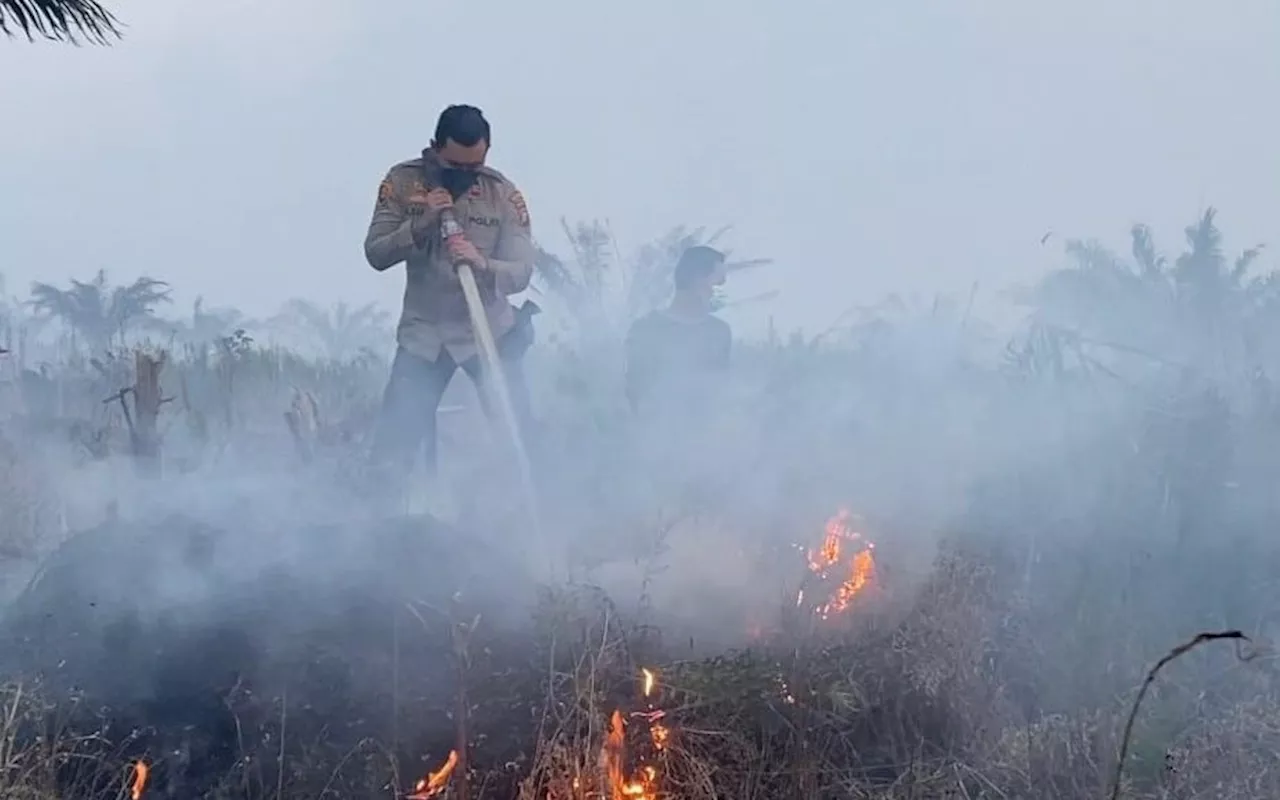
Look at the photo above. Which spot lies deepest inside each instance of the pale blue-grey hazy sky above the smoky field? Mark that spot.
(236, 148)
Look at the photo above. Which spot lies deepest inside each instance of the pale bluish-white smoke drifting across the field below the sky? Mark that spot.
(1052, 511)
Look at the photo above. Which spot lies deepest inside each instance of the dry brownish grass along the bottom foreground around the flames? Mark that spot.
(908, 703)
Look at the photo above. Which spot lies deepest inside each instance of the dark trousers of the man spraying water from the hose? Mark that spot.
(414, 396)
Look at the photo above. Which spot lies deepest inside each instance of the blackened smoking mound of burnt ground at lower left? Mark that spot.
(194, 646)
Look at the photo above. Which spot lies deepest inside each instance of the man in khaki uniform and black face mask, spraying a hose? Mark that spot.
(435, 336)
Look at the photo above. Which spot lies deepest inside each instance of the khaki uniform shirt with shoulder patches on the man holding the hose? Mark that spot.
(496, 220)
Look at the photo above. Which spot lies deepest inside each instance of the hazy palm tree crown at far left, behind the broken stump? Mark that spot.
(99, 312)
